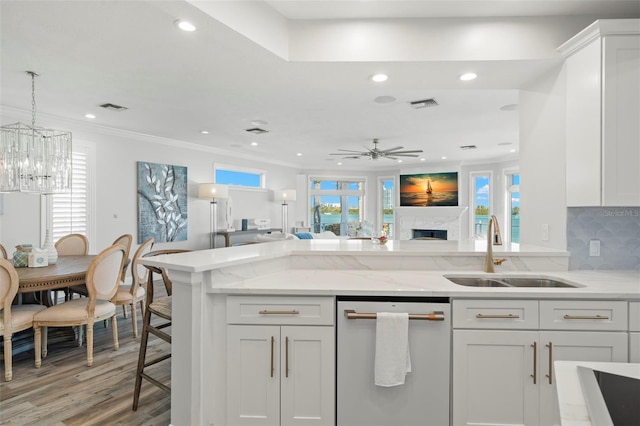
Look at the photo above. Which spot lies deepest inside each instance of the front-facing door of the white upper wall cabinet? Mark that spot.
(621, 114)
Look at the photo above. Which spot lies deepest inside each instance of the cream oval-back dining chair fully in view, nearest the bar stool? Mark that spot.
(102, 280)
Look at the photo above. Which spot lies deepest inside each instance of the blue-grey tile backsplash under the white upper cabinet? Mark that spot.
(616, 228)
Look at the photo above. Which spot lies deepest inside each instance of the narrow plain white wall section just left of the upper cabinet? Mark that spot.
(542, 168)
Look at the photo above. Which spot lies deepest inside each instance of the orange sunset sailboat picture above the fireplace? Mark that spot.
(429, 189)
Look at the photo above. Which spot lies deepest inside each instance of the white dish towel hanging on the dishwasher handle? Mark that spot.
(392, 359)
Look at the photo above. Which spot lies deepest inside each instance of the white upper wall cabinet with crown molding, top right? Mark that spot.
(603, 114)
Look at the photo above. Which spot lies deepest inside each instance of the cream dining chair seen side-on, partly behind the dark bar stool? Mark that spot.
(134, 293)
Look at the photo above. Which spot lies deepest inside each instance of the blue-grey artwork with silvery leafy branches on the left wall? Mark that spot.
(162, 202)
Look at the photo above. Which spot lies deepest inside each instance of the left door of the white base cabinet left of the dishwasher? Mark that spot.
(253, 375)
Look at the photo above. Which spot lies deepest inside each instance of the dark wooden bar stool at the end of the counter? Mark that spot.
(161, 308)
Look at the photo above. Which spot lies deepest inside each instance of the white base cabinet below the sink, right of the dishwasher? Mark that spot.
(503, 374)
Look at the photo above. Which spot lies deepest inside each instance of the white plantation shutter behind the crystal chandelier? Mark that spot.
(69, 211)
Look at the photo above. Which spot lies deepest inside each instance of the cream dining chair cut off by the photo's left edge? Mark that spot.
(14, 318)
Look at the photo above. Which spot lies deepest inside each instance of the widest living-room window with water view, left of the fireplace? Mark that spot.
(336, 205)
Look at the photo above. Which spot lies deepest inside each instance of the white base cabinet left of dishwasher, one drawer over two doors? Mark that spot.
(281, 361)
